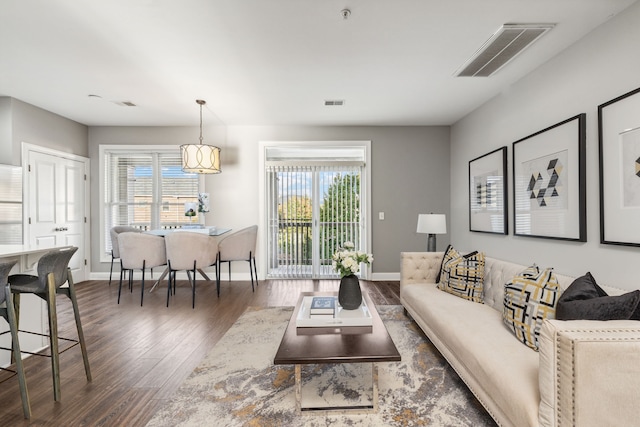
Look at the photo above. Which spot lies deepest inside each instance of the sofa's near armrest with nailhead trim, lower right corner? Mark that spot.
(589, 372)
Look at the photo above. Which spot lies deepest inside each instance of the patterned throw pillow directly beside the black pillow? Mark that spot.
(529, 298)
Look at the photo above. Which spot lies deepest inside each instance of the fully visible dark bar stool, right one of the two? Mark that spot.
(53, 272)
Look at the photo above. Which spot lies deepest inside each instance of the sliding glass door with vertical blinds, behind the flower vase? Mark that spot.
(312, 209)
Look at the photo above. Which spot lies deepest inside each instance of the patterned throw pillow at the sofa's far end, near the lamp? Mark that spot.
(463, 276)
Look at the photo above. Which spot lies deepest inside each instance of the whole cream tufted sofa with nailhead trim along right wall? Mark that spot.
(587, 373)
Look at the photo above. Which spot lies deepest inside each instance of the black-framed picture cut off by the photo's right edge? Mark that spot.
(619, 143)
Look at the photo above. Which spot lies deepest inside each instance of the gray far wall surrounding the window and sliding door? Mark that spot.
(410, 176)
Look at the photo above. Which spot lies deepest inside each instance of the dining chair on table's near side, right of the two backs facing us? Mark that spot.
(189, 252)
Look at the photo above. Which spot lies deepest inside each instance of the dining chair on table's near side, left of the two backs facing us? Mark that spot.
(139, 251)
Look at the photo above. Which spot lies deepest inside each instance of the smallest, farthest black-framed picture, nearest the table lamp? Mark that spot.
(488, 193)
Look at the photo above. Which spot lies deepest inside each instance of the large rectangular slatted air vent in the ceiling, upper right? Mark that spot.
(502, 47)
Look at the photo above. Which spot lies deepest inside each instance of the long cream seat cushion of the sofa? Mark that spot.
(468, 334)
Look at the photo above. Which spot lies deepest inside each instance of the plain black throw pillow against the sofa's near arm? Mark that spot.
(584, 299)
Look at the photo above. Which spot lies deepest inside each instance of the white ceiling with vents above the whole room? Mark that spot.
(270, 62)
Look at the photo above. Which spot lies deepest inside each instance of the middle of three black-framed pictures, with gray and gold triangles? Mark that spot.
(549, 182)
